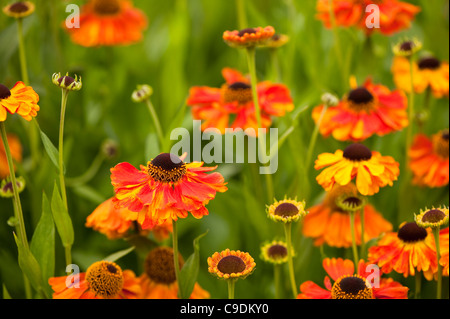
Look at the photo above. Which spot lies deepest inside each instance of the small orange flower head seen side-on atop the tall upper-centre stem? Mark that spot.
(249, 37)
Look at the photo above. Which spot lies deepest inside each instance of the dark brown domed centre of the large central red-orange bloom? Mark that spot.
(166, 168)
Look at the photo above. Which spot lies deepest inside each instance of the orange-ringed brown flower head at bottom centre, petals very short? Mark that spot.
(231, 264)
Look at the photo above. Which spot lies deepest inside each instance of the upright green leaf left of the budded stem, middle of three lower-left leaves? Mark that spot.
(43, 242)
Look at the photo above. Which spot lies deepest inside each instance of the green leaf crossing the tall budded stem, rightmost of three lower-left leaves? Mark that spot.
(62, 219)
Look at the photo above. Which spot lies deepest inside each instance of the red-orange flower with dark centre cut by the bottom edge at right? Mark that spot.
(348, 285)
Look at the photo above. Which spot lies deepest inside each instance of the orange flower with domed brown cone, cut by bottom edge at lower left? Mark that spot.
(102, 280)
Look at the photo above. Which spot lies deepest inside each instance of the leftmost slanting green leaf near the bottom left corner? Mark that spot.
(29, 266)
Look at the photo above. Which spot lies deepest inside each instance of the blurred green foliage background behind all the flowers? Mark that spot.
(183, 47)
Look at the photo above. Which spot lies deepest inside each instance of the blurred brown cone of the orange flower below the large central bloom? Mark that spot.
(159, 265)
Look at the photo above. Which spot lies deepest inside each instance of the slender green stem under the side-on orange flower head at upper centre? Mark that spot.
(254, 83)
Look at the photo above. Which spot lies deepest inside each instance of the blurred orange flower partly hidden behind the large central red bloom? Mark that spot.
(116, 222)
